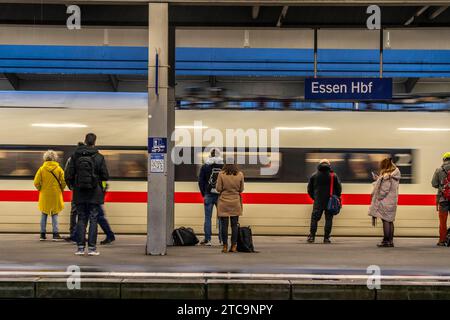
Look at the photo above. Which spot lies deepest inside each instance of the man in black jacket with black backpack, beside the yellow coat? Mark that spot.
(84, 174)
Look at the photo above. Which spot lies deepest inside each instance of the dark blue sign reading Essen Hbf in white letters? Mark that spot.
(348, 88)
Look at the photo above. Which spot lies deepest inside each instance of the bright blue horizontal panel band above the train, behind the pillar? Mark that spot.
(226, 61)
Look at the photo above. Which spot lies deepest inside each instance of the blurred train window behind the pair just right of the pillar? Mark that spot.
(257, 165)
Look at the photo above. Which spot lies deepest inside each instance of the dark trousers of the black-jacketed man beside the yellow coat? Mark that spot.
(87, 213)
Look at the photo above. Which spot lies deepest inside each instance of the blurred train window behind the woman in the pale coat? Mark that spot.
(357, 165)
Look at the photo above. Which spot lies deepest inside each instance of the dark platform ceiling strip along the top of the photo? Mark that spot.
(125, 14)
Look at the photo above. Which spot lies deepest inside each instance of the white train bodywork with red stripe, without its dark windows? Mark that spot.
(127, 128)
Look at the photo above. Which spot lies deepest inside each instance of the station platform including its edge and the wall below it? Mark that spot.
(283, 268)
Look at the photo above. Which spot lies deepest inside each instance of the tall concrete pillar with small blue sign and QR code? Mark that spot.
(161, 121)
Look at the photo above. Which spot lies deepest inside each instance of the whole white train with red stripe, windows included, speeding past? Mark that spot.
(275, 205)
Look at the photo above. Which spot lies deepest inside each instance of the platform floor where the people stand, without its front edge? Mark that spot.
(280, 254)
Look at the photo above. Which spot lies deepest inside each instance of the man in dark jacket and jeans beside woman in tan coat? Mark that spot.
(207, 180)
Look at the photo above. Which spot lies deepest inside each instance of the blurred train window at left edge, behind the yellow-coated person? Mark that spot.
(22, 163)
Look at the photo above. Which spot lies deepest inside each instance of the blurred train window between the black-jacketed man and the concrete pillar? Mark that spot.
(126, 163)
